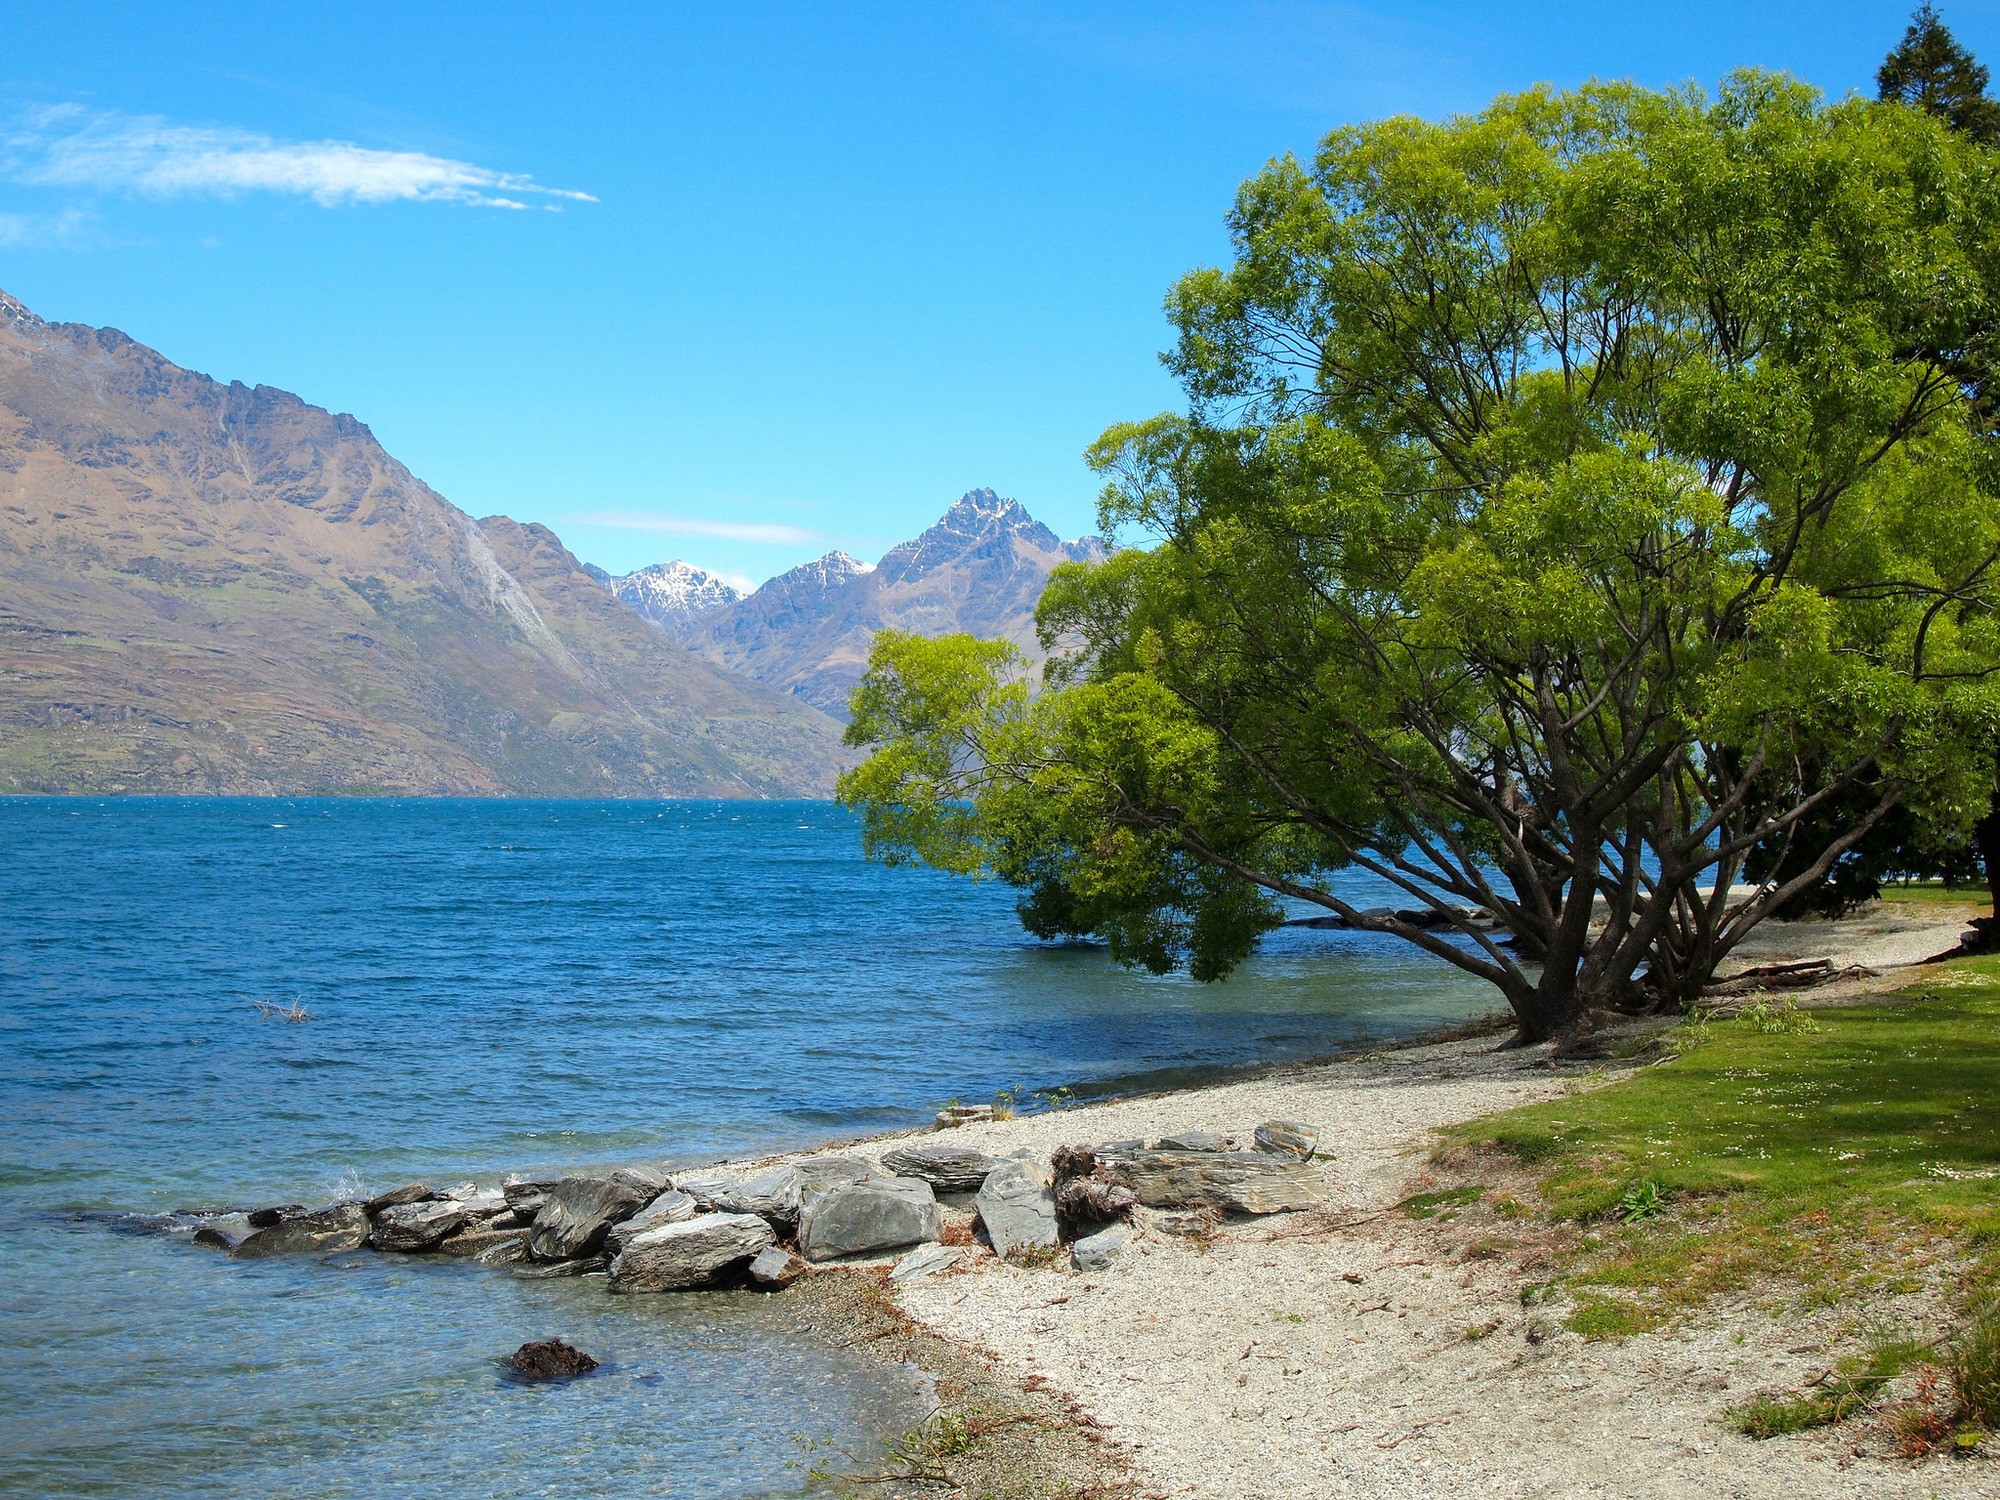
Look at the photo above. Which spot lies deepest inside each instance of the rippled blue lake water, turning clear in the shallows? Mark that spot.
(499, 987)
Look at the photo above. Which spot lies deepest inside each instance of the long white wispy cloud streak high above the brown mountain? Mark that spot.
(71, 147)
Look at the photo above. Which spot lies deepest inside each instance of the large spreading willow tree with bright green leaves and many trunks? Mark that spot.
(1571, 503)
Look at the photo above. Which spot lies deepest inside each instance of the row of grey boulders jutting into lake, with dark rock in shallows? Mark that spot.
(651, 1231)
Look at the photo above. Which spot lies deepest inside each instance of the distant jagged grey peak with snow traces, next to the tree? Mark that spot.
(981, 569)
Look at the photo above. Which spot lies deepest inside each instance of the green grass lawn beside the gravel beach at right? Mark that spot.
(1841, 1149)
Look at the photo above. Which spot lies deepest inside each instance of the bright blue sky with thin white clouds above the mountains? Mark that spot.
(741, 283)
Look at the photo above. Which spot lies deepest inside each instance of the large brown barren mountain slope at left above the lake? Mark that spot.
(223, 589)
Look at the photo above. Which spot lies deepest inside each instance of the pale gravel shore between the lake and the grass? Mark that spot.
(1359, 1353)
